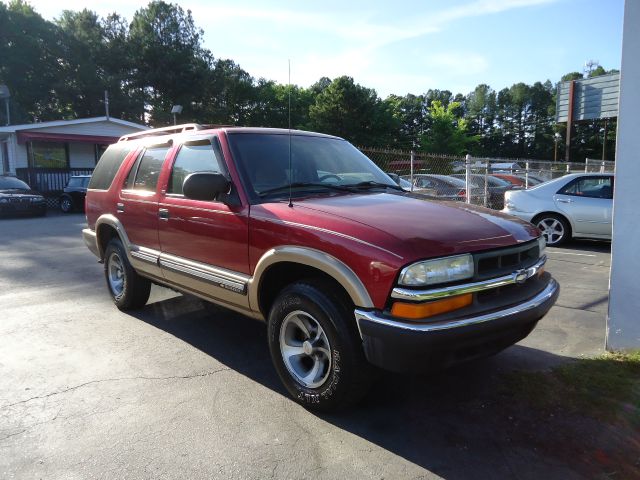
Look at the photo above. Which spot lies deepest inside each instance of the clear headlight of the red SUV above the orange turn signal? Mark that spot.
(441, 270)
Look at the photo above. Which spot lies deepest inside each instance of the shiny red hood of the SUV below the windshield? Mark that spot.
(416, 227)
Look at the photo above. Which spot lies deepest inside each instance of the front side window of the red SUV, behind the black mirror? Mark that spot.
(196, 156)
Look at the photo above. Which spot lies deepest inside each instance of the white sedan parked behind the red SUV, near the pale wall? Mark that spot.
(576, 205)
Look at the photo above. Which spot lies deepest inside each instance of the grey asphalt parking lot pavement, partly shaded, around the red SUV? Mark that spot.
(183, 389)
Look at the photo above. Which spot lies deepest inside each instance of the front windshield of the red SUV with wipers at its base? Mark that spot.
(318, 163)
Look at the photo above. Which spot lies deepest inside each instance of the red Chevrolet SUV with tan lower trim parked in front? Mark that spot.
(303, 231)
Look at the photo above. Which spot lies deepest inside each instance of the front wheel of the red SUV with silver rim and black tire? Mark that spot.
(315, 346)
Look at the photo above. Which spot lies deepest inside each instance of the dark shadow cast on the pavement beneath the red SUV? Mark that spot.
(452, 423)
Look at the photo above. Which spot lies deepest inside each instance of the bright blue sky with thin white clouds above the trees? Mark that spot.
(400, 47)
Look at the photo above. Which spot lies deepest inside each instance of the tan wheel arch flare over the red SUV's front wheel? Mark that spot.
(313, 258)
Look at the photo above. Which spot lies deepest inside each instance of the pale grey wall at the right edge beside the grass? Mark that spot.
(623, 322)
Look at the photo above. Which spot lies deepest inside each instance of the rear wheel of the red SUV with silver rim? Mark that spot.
(128, 290)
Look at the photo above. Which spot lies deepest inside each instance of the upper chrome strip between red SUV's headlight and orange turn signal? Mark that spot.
(519, 276)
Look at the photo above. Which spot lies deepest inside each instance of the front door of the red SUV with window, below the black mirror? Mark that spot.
(204, 243)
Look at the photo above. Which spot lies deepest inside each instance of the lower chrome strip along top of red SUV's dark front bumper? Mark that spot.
(544, 296)
